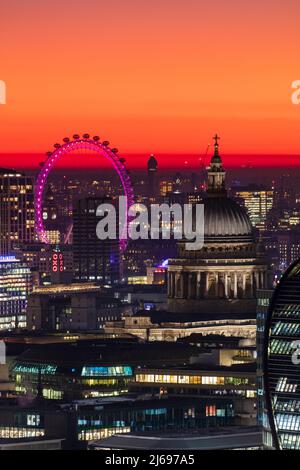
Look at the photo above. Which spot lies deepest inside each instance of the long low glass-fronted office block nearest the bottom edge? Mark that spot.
(88, 421)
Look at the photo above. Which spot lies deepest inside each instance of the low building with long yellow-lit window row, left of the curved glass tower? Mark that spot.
(237, 382)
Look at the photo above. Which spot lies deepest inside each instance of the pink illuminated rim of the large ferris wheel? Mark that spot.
(70, 145)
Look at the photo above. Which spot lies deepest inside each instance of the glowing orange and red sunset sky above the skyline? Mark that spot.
(156, 76)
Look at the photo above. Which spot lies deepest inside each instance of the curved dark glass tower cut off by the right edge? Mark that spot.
(282, 361)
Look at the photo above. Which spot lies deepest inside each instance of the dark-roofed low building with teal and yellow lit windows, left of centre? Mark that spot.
(96, 369)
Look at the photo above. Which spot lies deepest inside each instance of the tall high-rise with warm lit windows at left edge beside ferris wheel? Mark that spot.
(16, 210)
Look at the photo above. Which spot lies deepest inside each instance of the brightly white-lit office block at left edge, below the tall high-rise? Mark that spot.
(15, 286)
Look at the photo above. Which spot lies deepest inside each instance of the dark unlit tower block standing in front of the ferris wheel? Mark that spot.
(94, 259)
